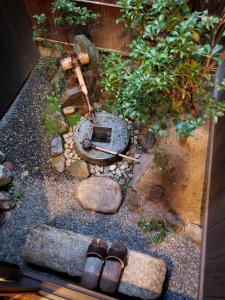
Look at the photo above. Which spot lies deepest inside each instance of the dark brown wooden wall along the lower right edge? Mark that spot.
(212, 277)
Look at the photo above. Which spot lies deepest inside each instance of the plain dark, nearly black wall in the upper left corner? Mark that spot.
(18, 53)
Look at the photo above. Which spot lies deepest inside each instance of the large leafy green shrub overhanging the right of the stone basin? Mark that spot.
(168, 75)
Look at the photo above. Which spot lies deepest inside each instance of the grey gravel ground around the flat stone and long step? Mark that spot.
(49, 198)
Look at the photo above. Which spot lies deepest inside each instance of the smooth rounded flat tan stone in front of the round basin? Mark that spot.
(100, 194)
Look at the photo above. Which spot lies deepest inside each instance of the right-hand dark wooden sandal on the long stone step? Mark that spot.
(114, 265)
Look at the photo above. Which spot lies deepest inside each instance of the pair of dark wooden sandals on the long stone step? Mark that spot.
(107, 265)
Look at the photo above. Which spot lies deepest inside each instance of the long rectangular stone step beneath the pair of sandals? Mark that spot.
(64, 251)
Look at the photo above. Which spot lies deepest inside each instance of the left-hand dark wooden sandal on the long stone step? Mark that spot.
(95, 257)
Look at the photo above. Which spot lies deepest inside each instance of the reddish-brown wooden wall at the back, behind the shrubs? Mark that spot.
(103, 31)
